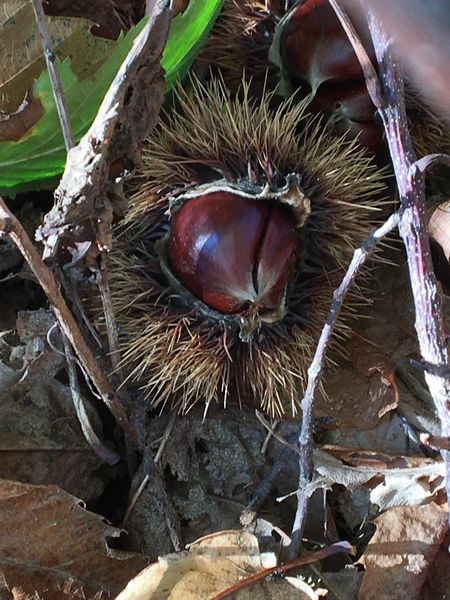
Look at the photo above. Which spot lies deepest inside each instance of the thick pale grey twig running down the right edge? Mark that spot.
(413, 228)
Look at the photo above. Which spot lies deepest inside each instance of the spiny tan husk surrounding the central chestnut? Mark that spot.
(180, 356)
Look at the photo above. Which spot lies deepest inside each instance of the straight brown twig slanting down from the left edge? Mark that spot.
(11, 226)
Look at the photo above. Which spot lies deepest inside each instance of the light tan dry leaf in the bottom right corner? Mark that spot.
(400, 554)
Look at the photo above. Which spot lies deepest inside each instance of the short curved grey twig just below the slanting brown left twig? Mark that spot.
(105, 453)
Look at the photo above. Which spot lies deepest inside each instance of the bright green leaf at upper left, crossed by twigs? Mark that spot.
(37, 159)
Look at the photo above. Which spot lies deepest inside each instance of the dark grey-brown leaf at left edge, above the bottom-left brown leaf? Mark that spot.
(41, 441)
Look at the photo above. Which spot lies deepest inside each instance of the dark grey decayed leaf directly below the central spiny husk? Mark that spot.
(207, 492)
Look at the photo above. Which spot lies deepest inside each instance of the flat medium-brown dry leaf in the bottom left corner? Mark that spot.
(53, 548)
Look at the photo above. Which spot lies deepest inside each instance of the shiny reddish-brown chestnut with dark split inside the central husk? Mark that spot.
(233, 252)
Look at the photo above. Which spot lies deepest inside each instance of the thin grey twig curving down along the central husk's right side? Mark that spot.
(315, 371)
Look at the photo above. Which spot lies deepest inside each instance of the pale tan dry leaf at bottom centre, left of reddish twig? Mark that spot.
(212, 564)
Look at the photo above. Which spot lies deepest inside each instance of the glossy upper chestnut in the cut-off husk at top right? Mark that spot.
(314, 47)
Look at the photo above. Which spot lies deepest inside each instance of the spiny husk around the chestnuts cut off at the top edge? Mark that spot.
(242, 38)
